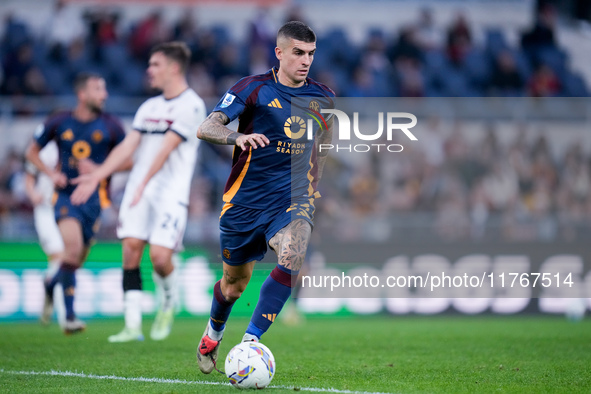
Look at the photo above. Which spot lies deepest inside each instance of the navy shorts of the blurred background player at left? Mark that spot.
(87, 214)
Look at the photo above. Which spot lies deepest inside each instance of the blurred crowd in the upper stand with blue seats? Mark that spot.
(421, 58)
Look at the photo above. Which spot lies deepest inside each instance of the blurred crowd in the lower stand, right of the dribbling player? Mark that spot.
(450, 187)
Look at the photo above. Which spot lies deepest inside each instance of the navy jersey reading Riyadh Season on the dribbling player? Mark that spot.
(286, 168)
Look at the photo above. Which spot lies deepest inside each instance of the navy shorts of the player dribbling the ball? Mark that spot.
(245, 232)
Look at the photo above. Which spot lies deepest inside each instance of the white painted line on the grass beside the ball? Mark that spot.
(169, 381)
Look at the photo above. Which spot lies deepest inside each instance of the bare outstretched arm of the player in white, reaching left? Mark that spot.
(120, 155)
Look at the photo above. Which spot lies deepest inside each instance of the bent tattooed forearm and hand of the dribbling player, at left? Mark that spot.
(214, 130)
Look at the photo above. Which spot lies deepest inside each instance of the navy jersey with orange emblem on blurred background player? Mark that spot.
(77, 140)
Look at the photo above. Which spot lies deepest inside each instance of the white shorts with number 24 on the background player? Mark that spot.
(155, 220)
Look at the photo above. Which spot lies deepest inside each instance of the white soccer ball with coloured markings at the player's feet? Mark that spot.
(250, 365)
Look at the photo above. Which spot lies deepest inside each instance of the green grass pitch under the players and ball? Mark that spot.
(388, 354)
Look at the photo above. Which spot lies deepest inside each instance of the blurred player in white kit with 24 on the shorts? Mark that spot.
(155, 204)
